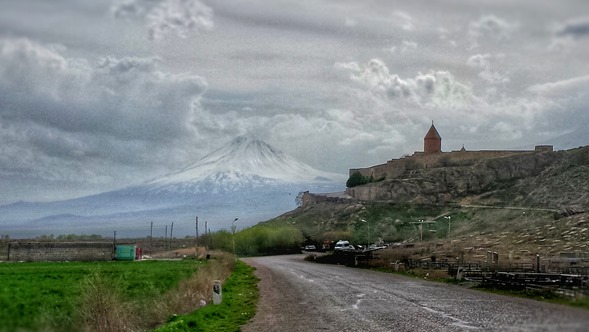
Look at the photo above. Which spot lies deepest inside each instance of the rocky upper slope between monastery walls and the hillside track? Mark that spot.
(553, 180)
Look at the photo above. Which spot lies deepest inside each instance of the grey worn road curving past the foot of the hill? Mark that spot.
(302, 296)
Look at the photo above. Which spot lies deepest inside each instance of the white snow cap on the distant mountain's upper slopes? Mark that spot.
(245, 160)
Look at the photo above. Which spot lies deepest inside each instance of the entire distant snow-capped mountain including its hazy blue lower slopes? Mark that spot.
(246, 178)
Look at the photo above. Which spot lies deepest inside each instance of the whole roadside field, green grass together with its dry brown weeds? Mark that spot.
(104, 296)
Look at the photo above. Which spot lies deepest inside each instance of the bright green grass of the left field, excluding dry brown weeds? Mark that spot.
(46, 296)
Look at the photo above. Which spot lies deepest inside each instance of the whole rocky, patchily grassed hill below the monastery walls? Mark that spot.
(516, 205)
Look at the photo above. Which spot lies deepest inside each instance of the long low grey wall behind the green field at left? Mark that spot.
(60, 251)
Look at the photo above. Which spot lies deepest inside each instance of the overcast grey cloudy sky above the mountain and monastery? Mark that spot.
(98, 95)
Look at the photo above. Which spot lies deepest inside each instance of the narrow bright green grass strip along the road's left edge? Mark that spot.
(238, 306)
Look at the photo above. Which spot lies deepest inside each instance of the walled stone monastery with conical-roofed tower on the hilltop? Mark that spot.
(433, 156)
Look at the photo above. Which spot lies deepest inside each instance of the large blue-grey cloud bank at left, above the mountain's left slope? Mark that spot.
(70, 116)
